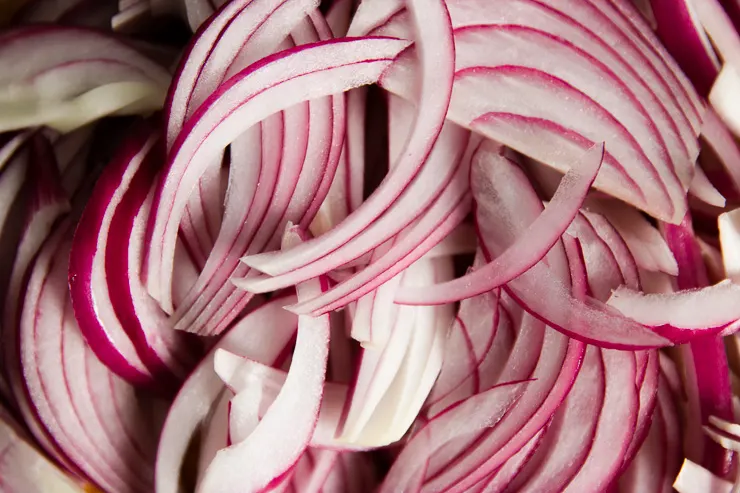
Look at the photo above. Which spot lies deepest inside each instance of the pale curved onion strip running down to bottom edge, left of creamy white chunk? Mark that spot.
(267, 451)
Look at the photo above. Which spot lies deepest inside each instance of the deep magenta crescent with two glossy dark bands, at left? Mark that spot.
(128, 333)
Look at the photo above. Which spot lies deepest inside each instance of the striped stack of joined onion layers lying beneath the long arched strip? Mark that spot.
(214, 301)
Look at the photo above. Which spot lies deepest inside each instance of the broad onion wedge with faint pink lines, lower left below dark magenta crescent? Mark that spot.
(76, 398)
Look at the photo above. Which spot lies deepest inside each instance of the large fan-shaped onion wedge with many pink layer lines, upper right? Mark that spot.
(534, 128)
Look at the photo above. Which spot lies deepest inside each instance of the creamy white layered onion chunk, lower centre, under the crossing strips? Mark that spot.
(395, 376)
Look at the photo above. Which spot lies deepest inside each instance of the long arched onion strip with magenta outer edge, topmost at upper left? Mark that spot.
(274, 84)
